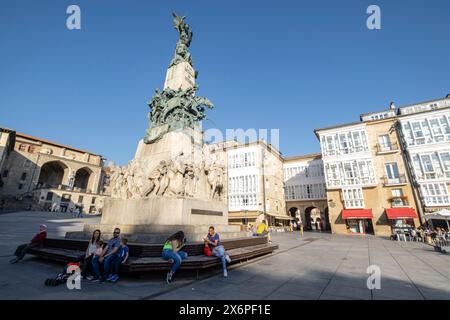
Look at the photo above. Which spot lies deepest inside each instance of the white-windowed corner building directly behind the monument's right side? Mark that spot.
(255, 182)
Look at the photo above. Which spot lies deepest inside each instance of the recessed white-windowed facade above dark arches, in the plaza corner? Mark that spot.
(305, 191)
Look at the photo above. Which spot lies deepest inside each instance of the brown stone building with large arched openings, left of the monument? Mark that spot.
(43, 175)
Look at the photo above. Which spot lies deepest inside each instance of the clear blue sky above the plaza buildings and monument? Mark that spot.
(292, 65)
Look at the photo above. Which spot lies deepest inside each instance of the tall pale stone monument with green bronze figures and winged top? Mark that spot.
(173, 182)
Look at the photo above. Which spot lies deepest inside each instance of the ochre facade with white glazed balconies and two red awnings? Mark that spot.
(368, 188)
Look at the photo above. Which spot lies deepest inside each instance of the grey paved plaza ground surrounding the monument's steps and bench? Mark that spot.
(317, 266)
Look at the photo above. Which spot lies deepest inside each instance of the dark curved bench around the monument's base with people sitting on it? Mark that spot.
(147, 257)
